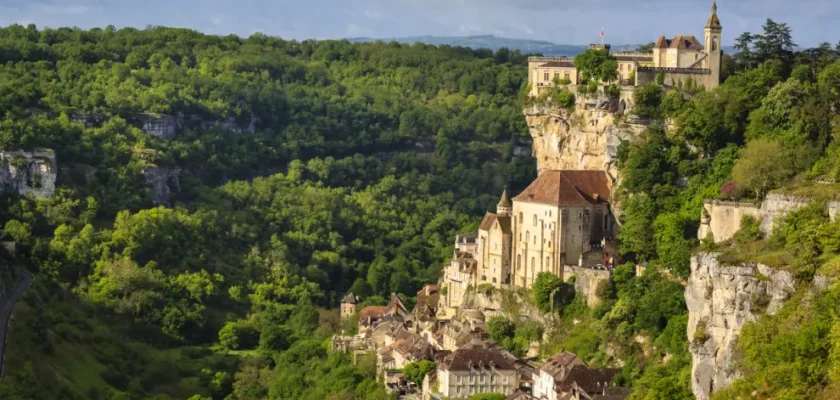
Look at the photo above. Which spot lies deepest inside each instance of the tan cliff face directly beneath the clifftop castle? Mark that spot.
(586, 138)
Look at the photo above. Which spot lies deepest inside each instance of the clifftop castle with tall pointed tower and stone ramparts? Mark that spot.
(679, 59)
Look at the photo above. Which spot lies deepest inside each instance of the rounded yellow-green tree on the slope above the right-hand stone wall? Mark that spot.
(761, 167)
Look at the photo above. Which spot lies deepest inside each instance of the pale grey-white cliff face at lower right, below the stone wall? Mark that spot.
(720, 300)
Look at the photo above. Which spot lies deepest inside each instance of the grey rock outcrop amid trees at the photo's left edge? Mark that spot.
(28, 172)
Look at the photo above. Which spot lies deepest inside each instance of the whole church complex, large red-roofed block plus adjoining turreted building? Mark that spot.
(562, 218)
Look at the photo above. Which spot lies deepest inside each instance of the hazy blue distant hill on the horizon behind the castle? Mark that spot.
(494, 43)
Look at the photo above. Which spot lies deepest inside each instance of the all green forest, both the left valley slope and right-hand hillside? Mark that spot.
(365, 161)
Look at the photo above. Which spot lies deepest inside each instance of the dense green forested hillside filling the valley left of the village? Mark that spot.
(364, 162)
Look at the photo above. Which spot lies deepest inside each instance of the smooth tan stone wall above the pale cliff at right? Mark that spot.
(723, 218)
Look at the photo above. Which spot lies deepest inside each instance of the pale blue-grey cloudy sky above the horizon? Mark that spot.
(558, 21)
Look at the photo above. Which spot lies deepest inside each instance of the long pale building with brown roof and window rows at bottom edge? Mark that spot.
(468, 372)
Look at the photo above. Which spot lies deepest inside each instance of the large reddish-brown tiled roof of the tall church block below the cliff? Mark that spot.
(568, 188)
